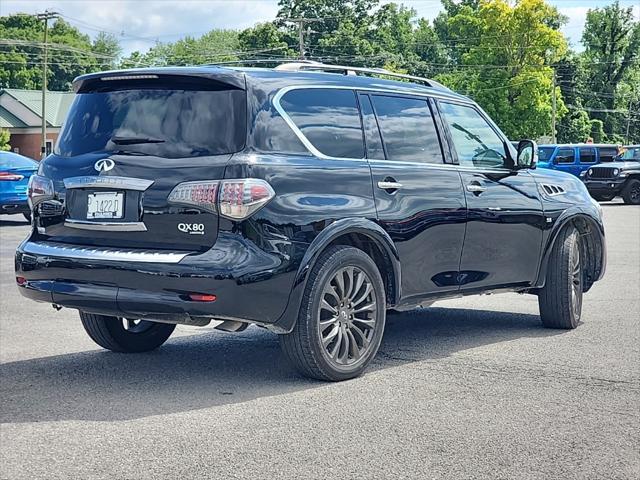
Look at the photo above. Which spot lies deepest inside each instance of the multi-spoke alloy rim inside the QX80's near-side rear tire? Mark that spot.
(347, 316)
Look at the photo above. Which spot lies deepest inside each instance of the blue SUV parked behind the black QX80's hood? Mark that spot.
(575, 158)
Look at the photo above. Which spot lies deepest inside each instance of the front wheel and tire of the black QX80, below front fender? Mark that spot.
(560, 300)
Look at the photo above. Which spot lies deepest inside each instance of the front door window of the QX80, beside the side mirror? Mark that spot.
(476, 143)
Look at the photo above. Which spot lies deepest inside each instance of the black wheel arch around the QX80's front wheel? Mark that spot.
(592, 238)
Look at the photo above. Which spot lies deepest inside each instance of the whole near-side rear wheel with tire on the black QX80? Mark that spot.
(304, 346)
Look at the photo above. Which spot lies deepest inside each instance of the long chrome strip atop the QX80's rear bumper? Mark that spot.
(101, 253)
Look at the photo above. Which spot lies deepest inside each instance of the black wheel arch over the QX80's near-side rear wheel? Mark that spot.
(360, 233)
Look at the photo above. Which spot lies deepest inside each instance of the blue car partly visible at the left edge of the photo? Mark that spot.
(15, 171)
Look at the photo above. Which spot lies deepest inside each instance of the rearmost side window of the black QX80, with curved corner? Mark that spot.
(328, 118)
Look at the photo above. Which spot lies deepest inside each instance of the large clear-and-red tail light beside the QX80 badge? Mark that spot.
(235, 199)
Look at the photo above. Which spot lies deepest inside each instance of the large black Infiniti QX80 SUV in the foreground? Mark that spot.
(308, 199)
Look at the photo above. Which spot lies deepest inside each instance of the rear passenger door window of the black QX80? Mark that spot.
(407, 128)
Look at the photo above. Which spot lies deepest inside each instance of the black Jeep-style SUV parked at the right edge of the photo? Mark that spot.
(621, 177)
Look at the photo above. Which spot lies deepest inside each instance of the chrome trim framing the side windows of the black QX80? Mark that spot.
(313, 150)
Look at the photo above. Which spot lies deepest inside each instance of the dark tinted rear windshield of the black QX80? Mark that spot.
(165, 123)
